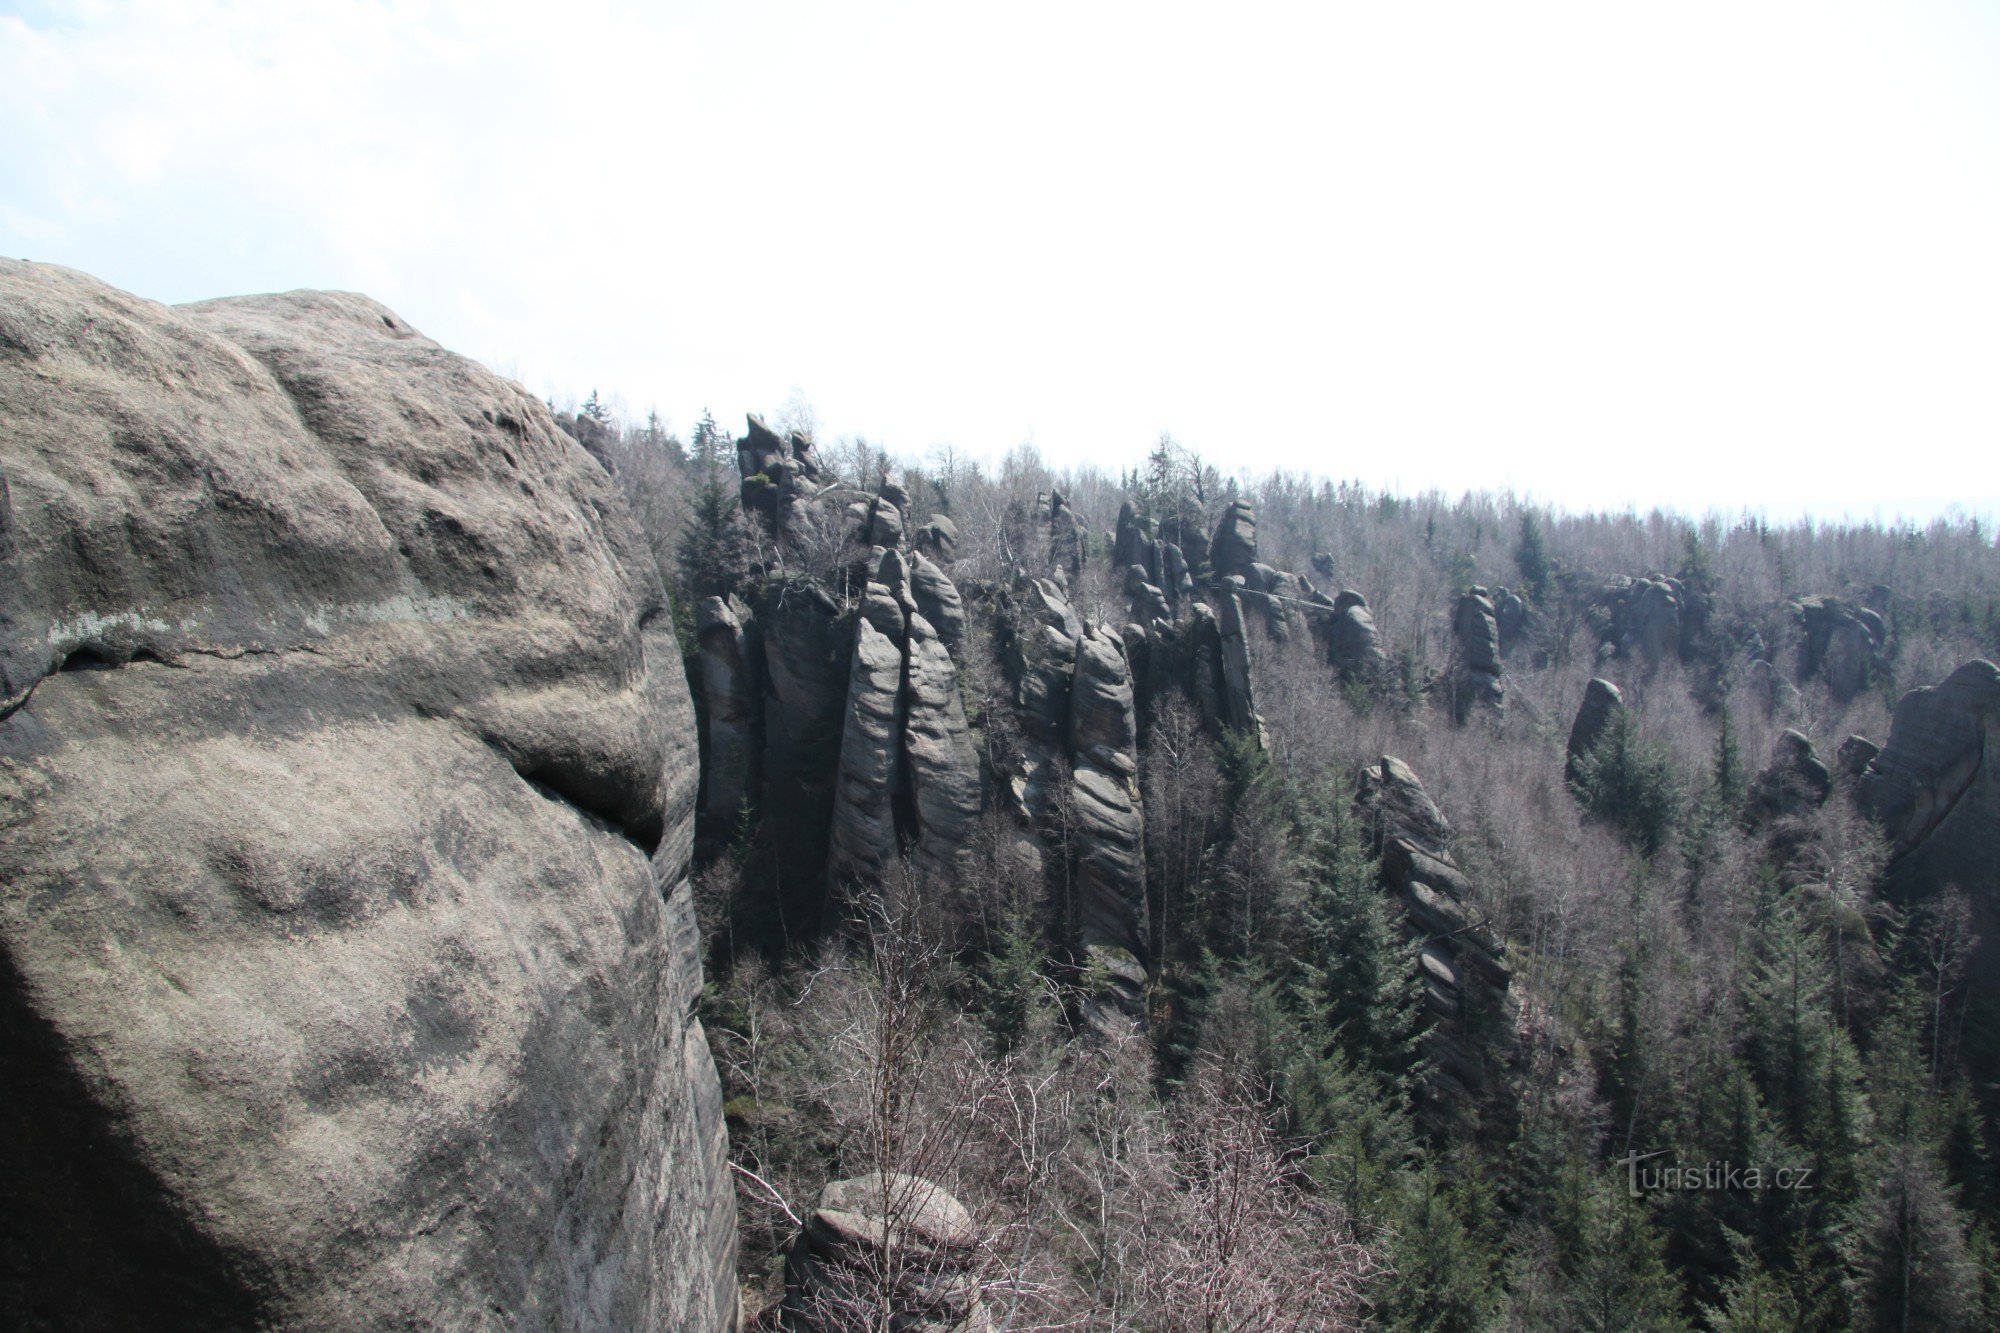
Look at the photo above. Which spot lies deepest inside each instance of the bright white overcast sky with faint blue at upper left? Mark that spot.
(1605, 255)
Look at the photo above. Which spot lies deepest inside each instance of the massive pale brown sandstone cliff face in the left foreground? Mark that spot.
(347, 778)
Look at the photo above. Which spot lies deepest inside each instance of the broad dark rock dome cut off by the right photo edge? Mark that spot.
(1933, 790)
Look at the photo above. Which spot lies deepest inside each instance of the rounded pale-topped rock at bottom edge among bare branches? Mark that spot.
(885, 1240)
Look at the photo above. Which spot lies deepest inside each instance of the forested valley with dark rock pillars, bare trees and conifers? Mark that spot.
(1421, 914)
